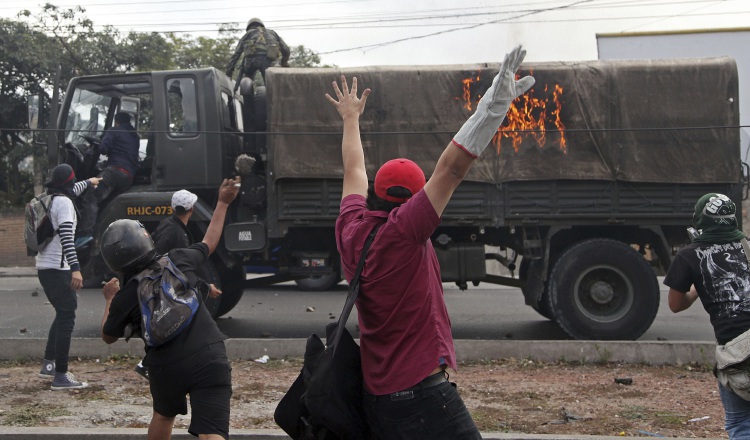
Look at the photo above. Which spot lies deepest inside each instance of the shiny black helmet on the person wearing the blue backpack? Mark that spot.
(127, 246)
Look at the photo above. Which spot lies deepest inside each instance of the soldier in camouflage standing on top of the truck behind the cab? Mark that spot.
(260, 48)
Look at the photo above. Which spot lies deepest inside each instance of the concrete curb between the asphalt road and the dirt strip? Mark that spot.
(633, 352)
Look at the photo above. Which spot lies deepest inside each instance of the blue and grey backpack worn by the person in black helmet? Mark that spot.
(167, 301)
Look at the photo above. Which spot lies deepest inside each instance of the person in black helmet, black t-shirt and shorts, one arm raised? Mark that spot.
(193, 363)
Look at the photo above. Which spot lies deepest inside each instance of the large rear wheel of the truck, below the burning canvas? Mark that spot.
(603, 289)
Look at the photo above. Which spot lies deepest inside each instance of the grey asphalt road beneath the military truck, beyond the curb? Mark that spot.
(484, 312)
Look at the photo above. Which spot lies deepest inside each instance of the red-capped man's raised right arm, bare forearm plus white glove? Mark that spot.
(477, 131)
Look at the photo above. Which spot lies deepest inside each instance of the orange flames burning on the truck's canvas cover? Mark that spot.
(529, 116)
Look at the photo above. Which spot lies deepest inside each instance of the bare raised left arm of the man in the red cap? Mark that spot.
(350, 108)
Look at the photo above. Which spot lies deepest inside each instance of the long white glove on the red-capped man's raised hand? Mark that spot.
(478, 130)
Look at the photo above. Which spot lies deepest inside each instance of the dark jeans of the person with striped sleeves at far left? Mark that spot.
(56, 285)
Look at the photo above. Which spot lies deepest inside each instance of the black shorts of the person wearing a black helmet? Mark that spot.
(206, 376)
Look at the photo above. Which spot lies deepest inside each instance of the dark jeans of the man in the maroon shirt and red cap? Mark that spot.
(426, 414)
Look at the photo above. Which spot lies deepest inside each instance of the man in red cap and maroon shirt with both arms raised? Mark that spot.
(405, 333)
